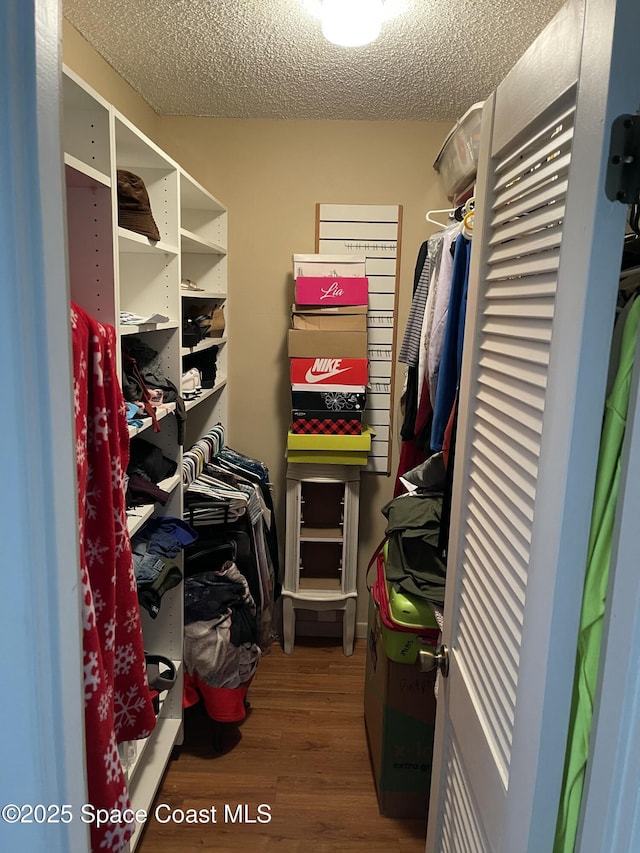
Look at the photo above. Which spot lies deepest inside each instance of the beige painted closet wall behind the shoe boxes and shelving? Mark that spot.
(270, 174)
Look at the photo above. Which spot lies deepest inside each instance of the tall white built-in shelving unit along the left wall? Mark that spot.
(113, 269)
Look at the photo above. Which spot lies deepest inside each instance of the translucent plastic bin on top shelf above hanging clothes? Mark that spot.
(458, 158)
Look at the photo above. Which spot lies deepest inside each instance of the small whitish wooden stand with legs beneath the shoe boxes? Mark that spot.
(321, 545)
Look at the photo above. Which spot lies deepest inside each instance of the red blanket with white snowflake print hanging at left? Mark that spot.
(117, 701)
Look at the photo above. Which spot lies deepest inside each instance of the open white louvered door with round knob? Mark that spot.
(542, 290)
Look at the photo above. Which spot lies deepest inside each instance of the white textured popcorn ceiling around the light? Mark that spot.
(268, 59)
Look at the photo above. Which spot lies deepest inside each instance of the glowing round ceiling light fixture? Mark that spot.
(352, 23)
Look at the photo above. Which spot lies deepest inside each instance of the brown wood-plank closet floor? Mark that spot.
(302, 751)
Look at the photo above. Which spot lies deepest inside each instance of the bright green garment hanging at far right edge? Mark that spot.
(595, 588)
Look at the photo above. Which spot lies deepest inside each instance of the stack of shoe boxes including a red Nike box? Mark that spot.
(328, 356)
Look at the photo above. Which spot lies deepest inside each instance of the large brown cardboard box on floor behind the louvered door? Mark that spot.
(399, 710)
